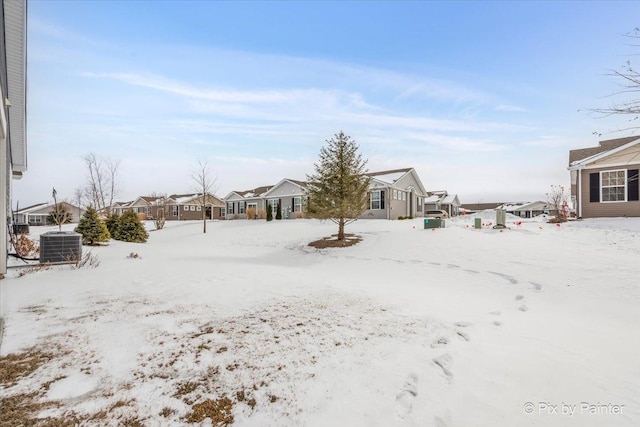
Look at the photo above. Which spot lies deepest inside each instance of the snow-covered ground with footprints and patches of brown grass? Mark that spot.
(534, 325)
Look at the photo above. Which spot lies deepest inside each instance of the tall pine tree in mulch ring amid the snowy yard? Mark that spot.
(338, 190)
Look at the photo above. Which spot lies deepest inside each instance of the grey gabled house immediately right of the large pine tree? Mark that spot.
(395, 193)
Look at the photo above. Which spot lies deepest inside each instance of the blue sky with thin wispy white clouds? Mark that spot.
(484, 99)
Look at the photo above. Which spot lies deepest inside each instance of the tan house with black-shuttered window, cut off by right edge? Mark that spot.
(604, 179)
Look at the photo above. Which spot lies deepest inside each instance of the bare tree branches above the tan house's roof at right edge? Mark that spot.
(628, 79)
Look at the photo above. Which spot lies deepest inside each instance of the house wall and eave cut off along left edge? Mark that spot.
(13, 83)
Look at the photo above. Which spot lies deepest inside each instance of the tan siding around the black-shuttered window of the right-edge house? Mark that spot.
(605, 209)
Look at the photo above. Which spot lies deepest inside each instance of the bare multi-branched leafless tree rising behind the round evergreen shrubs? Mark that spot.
(102, 186)
